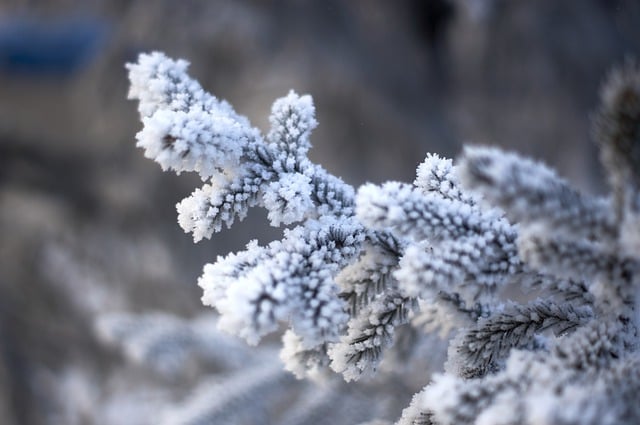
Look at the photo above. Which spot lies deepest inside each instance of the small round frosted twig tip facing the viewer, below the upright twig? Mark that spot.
(288, 199)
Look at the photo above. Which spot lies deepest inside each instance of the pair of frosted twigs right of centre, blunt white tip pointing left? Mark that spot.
(462, 248)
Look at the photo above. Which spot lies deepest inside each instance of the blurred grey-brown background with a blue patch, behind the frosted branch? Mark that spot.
(88, 226)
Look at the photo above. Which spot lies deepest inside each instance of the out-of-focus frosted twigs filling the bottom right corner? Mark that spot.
(546, 388)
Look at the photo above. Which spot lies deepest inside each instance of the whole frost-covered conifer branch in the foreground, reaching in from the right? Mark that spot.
(531, 284)
